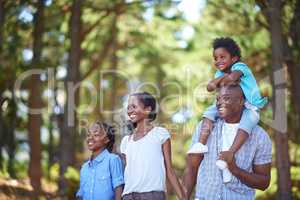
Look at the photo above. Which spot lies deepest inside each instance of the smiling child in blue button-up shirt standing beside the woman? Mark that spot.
(101, 177)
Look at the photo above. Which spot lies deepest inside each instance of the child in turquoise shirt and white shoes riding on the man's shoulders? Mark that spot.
(230, 70)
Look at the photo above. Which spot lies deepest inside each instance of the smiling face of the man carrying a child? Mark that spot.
(229, 103)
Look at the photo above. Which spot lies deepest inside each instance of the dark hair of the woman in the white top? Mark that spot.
(148, 101)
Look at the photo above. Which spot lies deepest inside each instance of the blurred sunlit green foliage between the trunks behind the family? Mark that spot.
(151, 49)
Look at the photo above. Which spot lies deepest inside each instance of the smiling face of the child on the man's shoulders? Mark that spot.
(223, 59)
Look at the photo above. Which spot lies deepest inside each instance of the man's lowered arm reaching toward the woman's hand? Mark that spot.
(190, 174)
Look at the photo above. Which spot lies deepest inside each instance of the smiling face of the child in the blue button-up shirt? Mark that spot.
(96, 138)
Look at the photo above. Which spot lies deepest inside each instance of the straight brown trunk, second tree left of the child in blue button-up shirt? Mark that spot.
(35, 102)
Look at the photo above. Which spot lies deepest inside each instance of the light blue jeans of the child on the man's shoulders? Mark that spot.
(249, 120)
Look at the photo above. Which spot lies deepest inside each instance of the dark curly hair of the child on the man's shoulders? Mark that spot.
(229, 44)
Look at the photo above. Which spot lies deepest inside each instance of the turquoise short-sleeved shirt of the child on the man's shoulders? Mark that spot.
(248, 84)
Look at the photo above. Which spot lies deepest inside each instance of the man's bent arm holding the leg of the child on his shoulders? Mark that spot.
(258, 179)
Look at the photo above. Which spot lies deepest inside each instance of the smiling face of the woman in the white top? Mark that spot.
(136, 110)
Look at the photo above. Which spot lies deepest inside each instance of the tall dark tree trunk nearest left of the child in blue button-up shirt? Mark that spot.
(69, 132)
